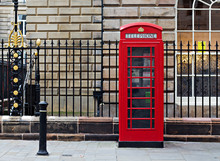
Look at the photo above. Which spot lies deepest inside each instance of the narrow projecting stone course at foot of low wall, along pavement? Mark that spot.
(104, 137)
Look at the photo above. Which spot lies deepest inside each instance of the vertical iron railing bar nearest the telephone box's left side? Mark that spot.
(116, 82)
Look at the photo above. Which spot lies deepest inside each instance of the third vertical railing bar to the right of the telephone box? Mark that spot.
(181, 81)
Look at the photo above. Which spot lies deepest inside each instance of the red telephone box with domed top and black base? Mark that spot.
(141, 74)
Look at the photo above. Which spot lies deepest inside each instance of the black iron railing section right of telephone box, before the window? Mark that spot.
(196, 80)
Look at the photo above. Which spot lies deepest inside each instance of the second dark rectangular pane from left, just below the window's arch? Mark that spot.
(201, 20)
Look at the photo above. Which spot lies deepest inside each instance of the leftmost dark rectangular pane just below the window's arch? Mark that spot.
(184, 20)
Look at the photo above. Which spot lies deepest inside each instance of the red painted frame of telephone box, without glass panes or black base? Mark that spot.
(141, 134)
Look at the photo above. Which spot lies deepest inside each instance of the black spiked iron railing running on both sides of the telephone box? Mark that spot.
(80, 78)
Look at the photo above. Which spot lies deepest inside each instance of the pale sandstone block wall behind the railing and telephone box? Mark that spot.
(81, 20)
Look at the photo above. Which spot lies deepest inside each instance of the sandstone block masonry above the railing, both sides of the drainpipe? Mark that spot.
(74, 17)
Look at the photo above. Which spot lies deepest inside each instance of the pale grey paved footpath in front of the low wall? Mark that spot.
(19, 150)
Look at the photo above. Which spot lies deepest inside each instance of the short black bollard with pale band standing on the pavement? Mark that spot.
(43, 129)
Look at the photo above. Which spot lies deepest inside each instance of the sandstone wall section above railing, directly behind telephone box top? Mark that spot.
(122, 12)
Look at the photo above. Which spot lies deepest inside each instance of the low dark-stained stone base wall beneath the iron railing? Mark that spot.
(104, 129)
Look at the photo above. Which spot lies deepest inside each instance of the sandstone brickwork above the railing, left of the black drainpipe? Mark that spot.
(63, 19)
